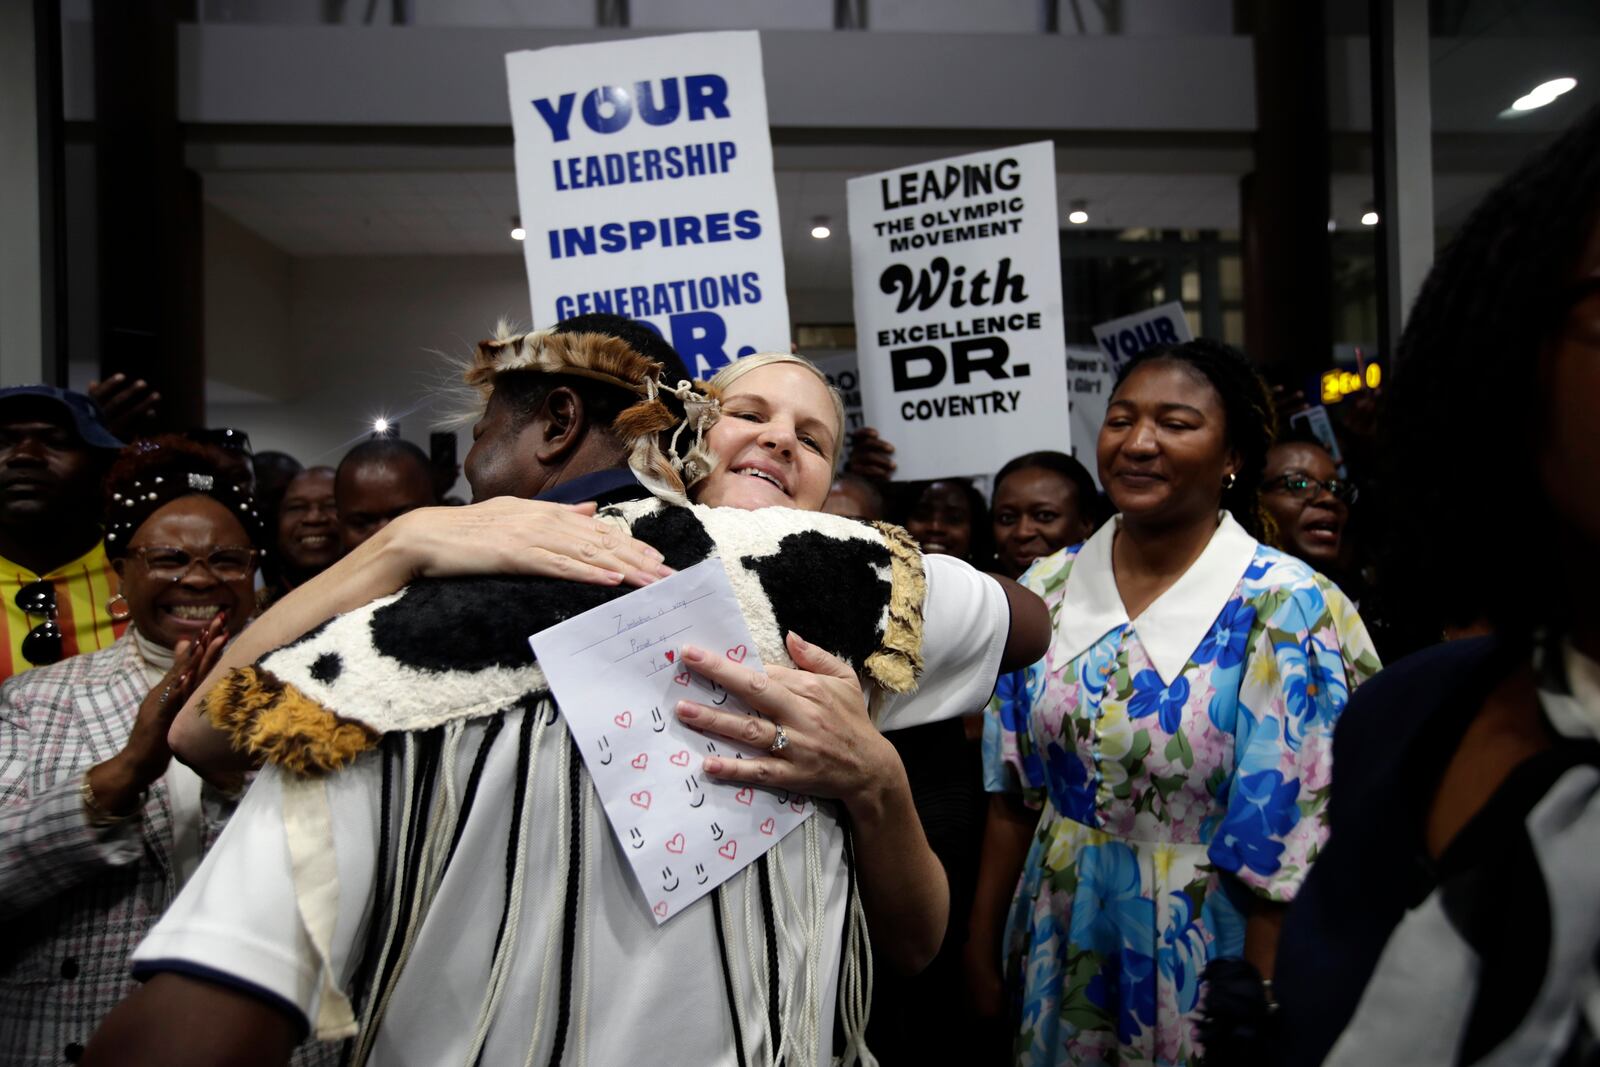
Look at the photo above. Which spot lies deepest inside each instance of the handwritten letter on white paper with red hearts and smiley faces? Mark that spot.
(617, 679)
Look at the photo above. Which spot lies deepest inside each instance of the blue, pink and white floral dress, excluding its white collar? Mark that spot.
(1164, 805)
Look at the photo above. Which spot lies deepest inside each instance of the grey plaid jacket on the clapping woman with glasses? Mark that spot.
(74, 901)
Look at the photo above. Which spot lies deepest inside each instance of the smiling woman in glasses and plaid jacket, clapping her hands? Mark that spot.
(98, 826)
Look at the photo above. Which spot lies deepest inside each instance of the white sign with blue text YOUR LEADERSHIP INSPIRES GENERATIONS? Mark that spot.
(646, 180)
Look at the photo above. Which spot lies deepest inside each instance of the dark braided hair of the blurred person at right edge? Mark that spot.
(1463, 410)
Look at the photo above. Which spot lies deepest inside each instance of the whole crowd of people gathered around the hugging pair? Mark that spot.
(1218, 746)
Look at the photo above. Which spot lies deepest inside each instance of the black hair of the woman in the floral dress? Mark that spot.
(1249, 417)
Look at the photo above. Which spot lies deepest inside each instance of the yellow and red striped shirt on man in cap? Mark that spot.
(82, 589)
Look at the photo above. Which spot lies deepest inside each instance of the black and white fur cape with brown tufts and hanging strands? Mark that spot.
(404, 673)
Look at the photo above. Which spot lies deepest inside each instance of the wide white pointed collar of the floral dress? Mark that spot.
(1175, 625)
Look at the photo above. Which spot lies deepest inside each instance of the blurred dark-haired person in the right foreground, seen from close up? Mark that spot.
(1452, 917)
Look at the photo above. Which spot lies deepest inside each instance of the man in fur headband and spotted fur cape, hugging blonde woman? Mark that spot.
(422, 868)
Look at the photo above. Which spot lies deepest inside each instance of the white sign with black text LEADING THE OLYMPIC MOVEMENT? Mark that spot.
(959, 332)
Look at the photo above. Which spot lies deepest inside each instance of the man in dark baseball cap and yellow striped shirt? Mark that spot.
(58, 594)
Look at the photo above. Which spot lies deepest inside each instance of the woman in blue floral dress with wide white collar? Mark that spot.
(1180, 761)
